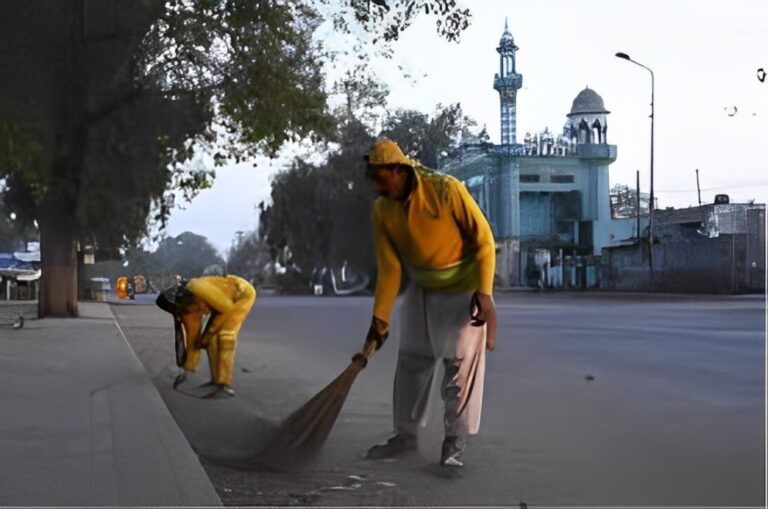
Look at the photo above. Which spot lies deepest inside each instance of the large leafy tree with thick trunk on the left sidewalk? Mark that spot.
(104, 101)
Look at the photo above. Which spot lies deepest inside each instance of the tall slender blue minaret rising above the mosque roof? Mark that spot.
(507, 82)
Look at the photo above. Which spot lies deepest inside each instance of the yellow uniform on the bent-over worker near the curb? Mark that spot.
(230, 298)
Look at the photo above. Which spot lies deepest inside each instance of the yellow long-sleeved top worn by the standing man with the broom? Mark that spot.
(439, 233)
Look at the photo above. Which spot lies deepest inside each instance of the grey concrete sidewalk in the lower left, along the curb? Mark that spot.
(82, 425)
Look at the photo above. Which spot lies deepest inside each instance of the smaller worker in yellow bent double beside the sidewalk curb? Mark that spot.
(210, 310)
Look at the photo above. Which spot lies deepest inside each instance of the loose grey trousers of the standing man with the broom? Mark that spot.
(441, 356)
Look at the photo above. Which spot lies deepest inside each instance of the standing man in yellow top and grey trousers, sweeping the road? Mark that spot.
(429, 224)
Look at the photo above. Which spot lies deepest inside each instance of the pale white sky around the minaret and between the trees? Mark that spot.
(711, 110)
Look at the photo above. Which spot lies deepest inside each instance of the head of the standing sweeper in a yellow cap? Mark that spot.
(389, 170)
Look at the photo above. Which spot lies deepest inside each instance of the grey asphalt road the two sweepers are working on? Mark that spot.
(591, 400)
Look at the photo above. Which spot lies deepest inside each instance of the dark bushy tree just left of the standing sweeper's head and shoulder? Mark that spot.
(322, 213)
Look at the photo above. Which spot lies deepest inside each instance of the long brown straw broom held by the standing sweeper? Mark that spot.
(304, 432)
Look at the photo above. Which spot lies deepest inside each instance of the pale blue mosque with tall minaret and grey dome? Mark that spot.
(547, 199)
